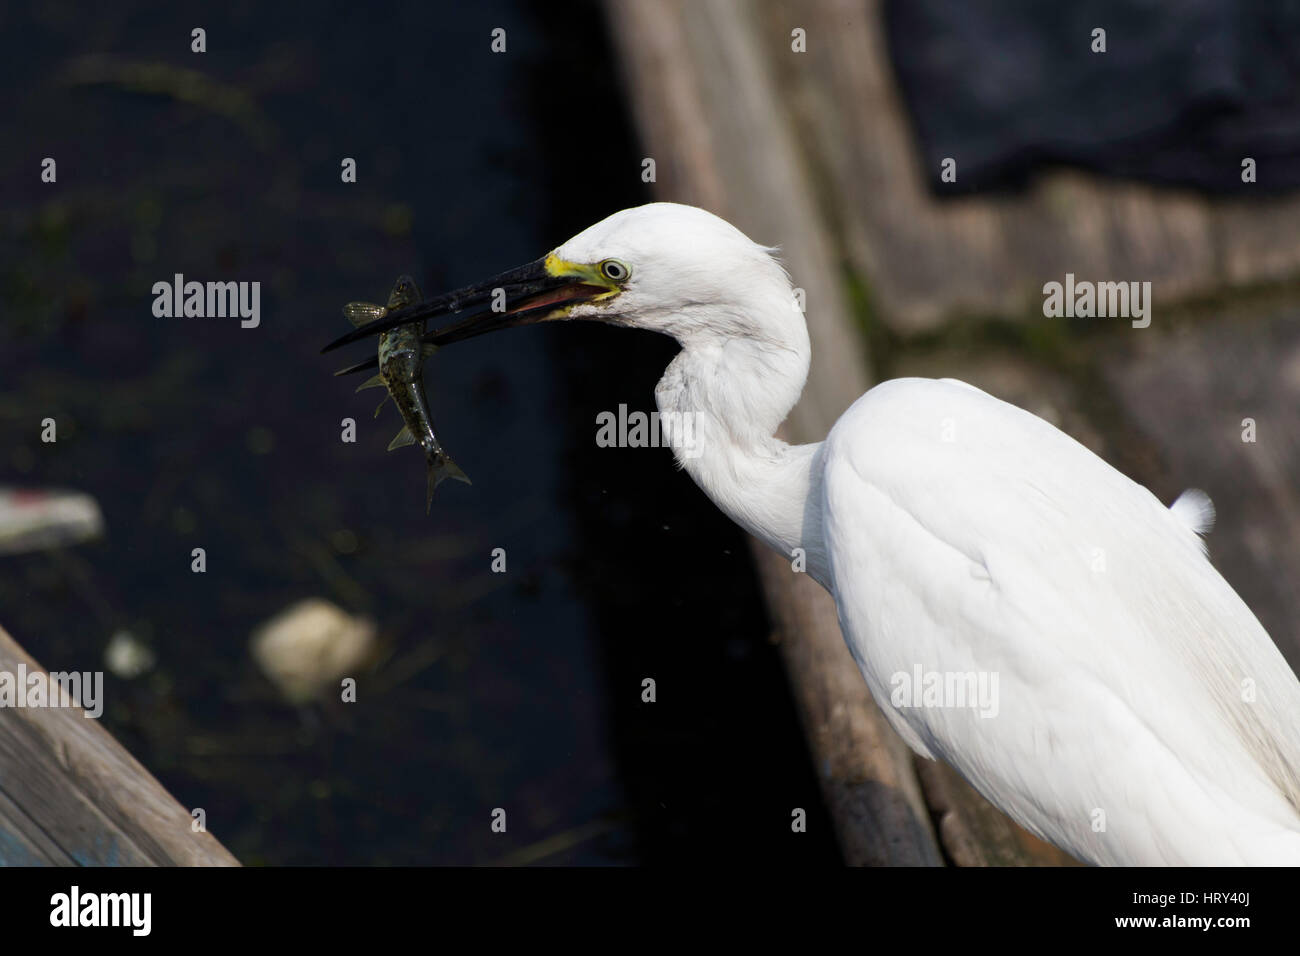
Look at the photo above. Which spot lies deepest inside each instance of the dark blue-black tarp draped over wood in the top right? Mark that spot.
(1186, 90)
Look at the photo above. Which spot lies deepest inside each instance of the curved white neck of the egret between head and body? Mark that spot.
(738, 391)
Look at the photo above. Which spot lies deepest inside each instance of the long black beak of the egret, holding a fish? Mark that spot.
(528, 295)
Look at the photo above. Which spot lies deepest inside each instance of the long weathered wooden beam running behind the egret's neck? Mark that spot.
(708, 115)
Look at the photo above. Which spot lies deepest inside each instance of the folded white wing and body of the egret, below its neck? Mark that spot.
(968, 537)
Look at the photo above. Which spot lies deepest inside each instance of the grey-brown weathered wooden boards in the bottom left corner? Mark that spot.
(70, 793)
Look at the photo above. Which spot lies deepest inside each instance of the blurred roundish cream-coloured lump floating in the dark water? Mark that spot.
(310, 647)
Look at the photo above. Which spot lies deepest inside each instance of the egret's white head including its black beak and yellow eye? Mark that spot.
(665, 267)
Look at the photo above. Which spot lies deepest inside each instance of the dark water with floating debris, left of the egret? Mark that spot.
(521, 691)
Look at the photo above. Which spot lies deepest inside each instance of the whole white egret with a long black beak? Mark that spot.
(1143, 715)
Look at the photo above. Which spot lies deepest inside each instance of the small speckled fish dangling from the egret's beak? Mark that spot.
(402, 374)
